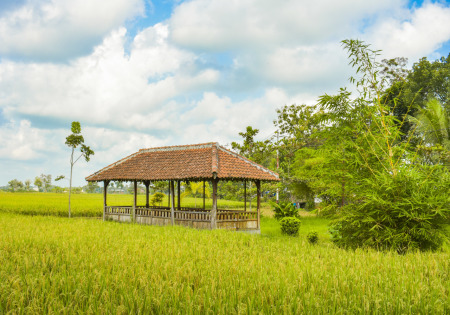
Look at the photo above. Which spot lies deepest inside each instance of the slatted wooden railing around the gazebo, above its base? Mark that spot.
(184, 214)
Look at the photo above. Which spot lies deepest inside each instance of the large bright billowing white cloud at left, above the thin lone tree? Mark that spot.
(108, 87)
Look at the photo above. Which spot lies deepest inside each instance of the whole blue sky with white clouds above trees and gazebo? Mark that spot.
(140, 73)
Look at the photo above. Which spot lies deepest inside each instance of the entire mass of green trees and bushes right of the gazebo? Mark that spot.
(377, 155)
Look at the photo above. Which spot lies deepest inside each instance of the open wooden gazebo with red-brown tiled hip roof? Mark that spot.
(199, 162)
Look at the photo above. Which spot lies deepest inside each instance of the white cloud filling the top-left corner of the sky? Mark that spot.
(61, 29)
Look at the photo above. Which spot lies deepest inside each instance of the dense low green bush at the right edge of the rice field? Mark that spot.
(406, 212)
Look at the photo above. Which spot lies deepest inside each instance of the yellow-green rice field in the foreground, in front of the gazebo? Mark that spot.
(59, 265)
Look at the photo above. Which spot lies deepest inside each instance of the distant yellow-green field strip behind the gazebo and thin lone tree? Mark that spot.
(90, 205)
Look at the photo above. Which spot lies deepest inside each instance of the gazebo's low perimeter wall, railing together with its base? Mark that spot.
(198, 218)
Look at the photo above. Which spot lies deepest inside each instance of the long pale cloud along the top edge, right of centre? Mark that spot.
(262, 24)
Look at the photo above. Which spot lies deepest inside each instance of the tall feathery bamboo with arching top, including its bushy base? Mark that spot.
(388, 199)
